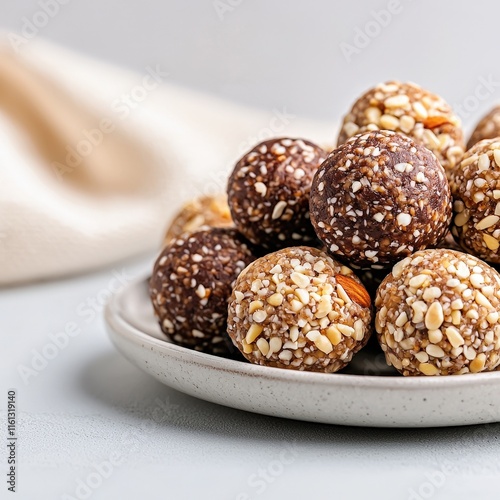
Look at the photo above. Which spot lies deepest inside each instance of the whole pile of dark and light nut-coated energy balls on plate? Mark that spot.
(311, 251)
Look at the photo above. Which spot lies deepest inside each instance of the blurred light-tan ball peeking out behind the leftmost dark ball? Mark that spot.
(202, 212)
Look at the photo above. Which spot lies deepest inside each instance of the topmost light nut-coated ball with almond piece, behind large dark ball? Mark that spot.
(411, 110)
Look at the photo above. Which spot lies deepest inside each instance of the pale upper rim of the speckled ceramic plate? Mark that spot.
(118, 324)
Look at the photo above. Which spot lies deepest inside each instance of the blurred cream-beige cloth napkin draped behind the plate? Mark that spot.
(94, 160)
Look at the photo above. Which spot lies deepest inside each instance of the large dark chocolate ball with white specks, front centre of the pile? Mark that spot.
(379, 197)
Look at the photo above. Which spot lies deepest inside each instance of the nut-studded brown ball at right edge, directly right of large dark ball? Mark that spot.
(475, 186)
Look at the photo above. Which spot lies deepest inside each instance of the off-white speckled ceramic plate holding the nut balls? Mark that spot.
(376, 399)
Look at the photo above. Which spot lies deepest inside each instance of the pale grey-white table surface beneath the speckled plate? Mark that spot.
(89, 404)
